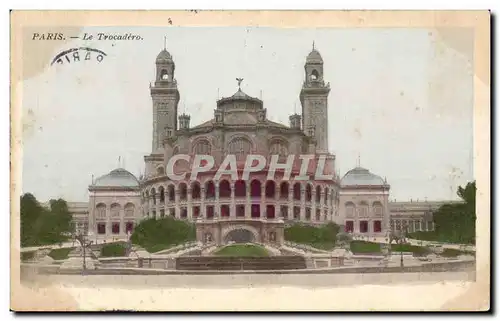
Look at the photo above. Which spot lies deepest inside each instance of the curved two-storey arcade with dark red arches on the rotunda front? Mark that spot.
(299, 200)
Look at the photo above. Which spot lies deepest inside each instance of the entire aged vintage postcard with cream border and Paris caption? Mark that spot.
(250, 160)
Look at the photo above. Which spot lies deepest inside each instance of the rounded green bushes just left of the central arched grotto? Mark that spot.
(157, 234)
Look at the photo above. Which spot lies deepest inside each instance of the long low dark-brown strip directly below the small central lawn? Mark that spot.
(240, 263)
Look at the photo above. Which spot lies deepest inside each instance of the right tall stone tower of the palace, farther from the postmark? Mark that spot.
(314, 100)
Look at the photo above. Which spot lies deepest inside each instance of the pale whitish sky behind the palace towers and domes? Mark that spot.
(400, 102)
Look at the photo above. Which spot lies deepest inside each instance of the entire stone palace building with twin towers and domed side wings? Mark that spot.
(255, 209)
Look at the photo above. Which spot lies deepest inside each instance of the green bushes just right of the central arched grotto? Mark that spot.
(323, 237)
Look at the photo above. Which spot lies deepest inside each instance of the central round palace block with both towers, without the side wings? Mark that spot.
(226, 209)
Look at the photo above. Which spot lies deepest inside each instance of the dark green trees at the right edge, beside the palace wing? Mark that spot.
(454, 223)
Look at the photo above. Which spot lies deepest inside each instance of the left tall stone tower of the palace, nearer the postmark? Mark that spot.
(165, 97)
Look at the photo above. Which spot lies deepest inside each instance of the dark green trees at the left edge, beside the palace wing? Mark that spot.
(41, 225)
